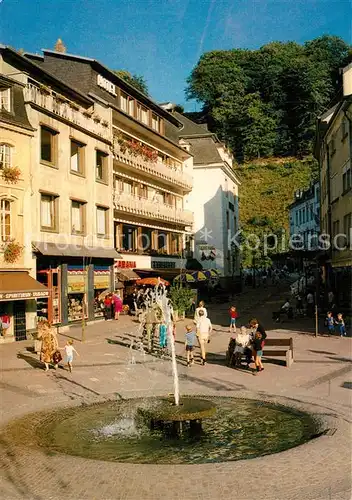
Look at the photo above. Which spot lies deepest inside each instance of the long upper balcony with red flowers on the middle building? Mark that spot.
(155, 168)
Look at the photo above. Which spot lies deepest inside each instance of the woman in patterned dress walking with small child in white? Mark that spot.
(50, 350)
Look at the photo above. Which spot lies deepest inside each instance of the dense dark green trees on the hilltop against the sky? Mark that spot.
(265, 102)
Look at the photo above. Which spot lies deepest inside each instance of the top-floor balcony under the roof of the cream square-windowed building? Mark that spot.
(46, 98)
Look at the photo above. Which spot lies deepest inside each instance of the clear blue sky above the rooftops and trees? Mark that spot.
(163, 39)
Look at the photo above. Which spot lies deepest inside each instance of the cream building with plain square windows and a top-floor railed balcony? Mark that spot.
(68, 235)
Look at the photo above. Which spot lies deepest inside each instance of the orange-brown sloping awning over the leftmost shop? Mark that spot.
(18, 285)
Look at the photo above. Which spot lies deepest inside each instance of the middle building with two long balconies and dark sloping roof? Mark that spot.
(151, 174)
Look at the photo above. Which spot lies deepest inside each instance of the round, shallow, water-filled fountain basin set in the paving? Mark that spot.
(115, 431)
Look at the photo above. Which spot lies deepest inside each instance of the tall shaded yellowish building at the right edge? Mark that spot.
(334, 147)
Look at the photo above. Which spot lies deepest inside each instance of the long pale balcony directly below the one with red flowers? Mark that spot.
(151, 209)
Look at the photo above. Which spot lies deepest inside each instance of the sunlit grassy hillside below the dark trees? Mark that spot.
(266, 191)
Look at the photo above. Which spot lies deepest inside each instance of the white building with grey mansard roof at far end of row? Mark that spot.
(214, 197)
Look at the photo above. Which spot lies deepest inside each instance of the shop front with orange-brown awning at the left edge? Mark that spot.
(18, 295)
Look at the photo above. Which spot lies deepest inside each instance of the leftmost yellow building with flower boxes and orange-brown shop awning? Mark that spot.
(18, 288)
